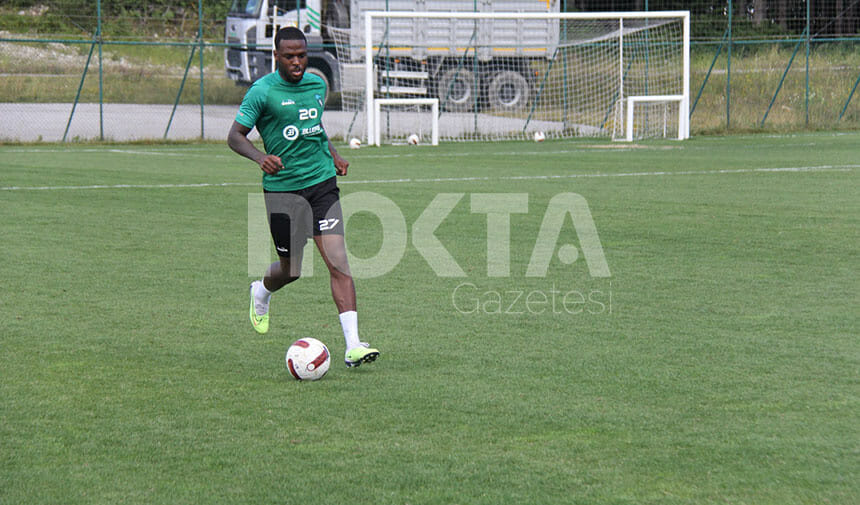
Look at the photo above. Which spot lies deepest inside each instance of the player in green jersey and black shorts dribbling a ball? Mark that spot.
(299, 167)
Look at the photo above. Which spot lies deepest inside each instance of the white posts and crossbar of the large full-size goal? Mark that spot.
(684, 16)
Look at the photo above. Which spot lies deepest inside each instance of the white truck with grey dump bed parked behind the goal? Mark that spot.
(495, 72)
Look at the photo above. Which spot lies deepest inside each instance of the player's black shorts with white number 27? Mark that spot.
(294, 216)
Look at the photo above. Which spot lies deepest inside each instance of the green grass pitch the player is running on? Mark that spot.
(718, 363)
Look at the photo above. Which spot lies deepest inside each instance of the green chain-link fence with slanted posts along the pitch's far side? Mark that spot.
(157, 69)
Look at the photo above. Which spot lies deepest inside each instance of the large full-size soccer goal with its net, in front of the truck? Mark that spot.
(505, 76)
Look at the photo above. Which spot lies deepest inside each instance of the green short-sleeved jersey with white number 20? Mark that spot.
(289, 119)
